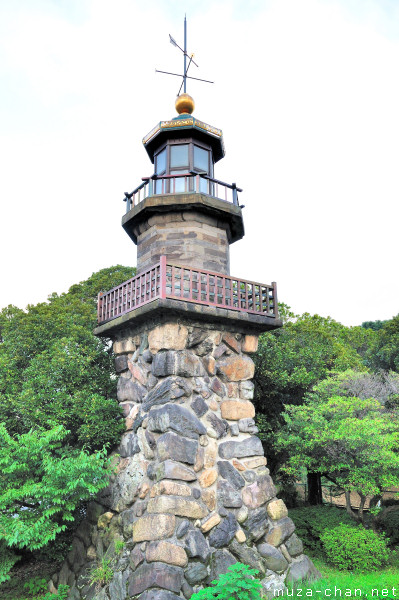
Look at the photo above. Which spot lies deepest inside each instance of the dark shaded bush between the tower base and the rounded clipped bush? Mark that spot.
(312, 521)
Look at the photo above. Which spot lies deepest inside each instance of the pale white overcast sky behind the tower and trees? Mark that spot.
(306, 93)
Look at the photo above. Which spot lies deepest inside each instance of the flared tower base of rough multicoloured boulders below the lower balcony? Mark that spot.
(191, 493)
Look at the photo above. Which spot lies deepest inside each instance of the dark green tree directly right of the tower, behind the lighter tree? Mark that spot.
(291, 360)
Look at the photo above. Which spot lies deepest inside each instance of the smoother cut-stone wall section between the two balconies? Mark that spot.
(186, 237)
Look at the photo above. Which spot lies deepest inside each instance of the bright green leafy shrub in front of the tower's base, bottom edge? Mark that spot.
(238, 584)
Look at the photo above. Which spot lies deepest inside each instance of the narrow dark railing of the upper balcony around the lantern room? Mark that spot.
(182, 183)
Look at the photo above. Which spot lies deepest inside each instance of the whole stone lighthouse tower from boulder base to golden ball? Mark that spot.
(191, 493)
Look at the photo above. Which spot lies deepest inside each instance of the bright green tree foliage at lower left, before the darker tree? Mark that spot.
(42, 482)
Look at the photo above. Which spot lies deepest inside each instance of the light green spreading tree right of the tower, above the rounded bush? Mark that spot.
(352, 441)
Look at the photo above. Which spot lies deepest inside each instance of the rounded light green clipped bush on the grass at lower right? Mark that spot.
(353, 548)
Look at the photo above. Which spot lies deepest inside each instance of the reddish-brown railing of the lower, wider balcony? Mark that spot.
(165, 280)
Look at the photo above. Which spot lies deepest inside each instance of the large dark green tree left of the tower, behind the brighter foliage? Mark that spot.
(53, 370)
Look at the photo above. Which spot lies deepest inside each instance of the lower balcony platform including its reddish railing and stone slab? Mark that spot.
(176, 291)
